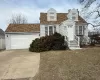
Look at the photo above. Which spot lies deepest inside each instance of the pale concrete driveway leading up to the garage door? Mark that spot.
(16, 64)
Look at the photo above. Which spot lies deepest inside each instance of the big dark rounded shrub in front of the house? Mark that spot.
(52, 42)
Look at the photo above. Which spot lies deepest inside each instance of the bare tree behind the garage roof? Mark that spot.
(18, 19)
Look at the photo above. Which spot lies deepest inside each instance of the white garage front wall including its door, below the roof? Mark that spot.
(20, 41)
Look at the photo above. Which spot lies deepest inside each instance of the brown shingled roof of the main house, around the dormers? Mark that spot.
(60, 18)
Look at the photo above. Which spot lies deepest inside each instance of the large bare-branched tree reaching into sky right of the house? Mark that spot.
(91, 11)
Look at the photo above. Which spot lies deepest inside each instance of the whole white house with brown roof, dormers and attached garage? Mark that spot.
(72, 26)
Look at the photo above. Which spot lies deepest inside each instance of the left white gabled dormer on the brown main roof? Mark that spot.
(51, 15)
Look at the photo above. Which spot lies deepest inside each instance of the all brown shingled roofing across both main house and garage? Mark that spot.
(43, 20)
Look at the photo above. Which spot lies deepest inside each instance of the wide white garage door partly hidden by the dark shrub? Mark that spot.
(22, 41)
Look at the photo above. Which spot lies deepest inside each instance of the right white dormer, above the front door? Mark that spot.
(73, 14)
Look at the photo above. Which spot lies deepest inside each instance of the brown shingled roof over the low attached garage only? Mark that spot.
(23, 28)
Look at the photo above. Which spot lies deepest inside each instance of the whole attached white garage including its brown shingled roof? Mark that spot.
(20, 36)
